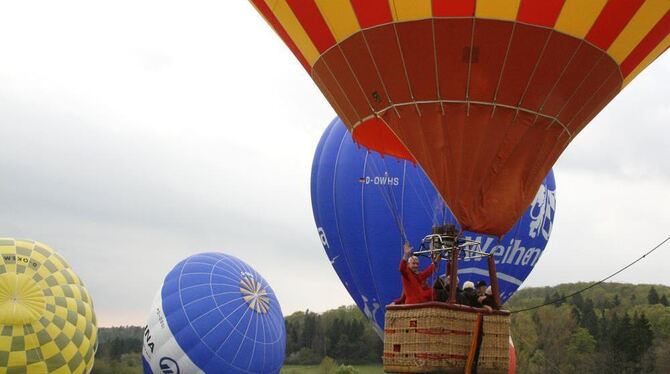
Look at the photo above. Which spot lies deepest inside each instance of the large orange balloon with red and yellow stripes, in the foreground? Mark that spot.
(485, 95)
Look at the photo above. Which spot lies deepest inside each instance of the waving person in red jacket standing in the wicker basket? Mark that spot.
(414, 287)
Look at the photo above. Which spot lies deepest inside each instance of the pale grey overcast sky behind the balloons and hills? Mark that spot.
(135, 133)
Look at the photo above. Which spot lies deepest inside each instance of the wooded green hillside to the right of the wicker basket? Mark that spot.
(611, 328)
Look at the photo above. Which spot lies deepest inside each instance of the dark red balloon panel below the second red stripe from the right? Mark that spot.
(581, 64)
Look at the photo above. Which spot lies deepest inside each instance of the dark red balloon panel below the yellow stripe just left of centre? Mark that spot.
(416, 43)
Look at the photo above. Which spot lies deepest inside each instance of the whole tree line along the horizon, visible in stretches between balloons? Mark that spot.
(612, 328)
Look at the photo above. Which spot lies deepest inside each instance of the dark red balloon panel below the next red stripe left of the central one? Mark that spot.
(384, 48)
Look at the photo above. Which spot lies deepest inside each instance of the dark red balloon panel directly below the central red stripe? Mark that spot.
(452, 36)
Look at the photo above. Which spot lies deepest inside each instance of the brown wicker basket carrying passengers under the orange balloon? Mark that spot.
(436, 338)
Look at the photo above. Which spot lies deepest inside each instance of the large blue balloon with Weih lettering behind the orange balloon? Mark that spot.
(365, 206)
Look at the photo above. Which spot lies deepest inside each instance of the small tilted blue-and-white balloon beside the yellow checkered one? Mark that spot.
(214, 314)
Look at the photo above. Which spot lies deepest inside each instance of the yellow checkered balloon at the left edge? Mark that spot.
(47, 323)
